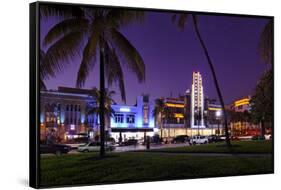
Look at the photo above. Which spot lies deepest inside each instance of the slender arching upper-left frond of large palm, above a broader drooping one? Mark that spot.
(64, 27)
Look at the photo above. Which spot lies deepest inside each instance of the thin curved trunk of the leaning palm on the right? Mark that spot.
(215, 79)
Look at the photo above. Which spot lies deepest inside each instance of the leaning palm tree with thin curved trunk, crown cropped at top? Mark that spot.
(181, 21)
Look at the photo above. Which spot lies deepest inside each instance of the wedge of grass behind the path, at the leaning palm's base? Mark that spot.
(238, 147)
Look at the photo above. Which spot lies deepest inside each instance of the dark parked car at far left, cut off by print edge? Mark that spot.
(52, 148)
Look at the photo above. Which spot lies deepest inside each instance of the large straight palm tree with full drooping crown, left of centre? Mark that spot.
(99, 29)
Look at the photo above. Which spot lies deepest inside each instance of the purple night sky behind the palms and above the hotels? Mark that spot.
(171, 55)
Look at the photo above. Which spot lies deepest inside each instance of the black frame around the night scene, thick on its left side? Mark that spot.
(34, 89)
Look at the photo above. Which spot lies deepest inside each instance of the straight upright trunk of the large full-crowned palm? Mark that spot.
(102, 99)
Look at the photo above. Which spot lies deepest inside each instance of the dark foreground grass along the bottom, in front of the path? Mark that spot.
(141, 166)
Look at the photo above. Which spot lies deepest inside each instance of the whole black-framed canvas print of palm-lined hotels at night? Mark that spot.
(122, 95)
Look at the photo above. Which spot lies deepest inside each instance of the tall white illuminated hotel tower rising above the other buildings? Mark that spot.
(197, 101)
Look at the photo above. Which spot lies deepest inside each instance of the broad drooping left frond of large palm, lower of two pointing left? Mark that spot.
(63, 51)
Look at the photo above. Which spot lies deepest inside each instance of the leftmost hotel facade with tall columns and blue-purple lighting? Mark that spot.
(63, 114)
